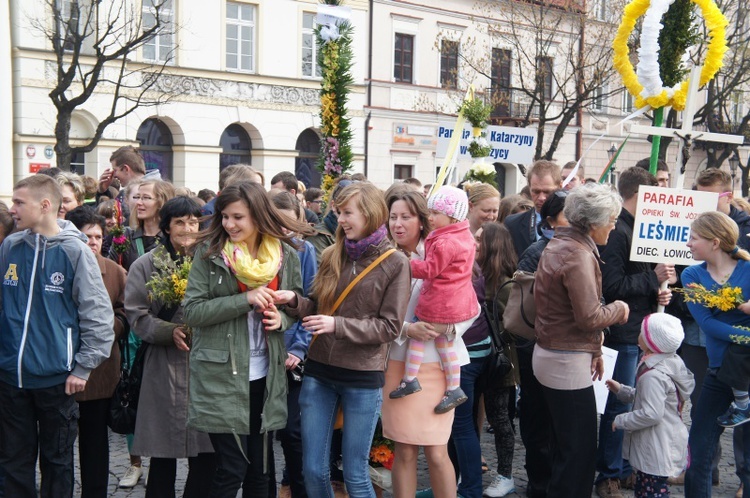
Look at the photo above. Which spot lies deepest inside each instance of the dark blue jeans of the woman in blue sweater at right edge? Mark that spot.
(704, 437)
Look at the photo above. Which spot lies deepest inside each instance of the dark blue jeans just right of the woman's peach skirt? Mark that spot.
(464, 435)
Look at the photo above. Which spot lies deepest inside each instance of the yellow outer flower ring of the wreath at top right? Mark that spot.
(717, 47)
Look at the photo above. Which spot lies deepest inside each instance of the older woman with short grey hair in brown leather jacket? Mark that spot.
(569, 323)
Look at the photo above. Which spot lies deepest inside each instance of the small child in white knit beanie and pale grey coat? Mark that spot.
(656, 439)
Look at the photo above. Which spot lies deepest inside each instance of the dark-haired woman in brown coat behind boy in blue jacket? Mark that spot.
(93, 439)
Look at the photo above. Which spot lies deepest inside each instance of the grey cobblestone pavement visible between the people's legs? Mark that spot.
(119, 462)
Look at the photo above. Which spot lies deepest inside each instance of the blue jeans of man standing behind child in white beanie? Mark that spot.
(609, 461)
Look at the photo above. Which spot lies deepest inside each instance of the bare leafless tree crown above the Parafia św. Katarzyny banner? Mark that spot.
(578, 46)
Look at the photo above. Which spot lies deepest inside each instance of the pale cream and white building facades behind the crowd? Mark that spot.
(245, 85)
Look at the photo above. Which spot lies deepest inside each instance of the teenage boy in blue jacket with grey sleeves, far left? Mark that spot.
(55, 328)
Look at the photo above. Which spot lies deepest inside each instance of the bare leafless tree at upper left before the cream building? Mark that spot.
(94, 44)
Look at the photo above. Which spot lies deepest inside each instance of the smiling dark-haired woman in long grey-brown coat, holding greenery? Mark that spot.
(161, 430)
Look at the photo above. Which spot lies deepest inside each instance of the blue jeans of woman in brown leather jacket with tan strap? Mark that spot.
(319, 401)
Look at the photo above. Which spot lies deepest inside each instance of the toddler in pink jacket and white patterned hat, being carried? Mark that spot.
(447, 296)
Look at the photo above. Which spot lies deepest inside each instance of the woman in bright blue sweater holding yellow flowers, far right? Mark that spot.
(713, 239)
